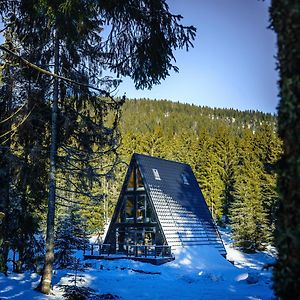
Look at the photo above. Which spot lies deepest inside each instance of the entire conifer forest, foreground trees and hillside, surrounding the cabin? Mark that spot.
(66, 139)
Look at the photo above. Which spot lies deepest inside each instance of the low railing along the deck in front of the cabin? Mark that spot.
(155, 251)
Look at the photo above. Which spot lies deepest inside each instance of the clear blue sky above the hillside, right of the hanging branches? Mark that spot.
(232, 64)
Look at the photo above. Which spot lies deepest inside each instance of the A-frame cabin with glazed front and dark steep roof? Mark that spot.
(161, 204)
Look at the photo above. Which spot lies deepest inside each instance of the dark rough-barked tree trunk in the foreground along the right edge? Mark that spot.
(285, 20)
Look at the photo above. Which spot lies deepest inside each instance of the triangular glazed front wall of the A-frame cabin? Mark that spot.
(134, 221)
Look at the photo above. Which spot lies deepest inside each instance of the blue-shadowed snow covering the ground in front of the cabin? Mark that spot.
(196, 273)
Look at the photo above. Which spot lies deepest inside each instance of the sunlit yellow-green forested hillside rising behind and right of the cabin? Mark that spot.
(232, 153)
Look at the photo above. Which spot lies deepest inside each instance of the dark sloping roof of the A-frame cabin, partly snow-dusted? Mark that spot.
(179, 203)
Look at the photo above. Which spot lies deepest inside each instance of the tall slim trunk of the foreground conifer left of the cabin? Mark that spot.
(45, 284)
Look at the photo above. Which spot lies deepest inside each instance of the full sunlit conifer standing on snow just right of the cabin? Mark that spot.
(247, 215)
